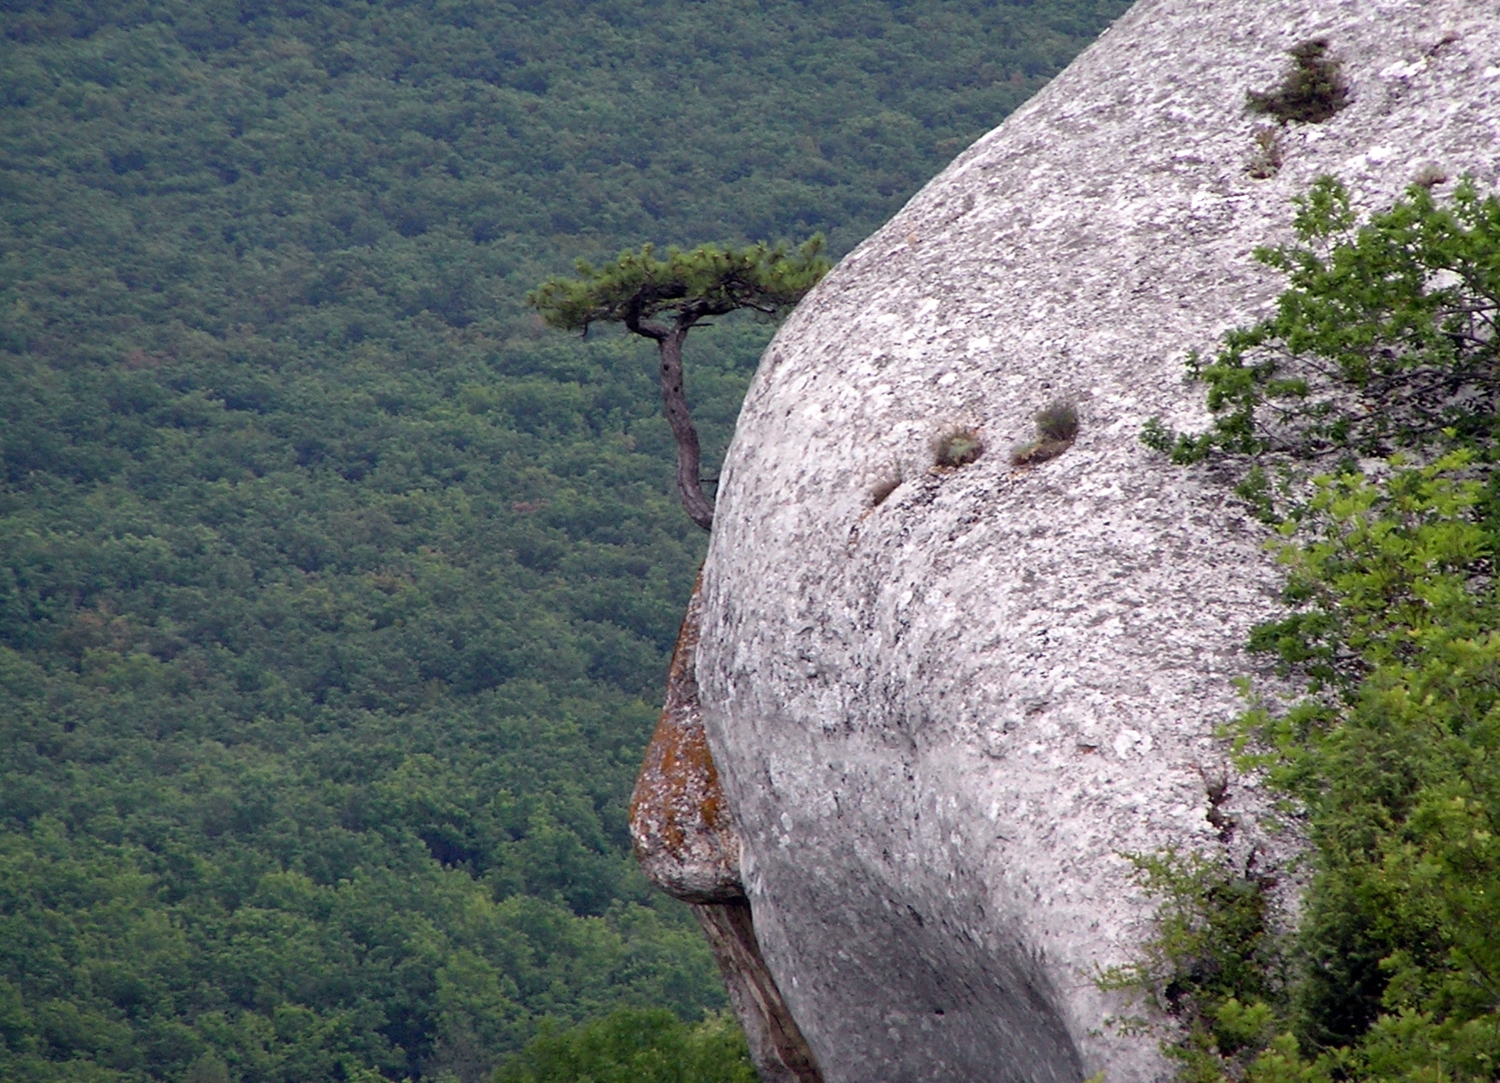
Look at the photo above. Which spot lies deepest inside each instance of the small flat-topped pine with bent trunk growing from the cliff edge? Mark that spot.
(665, 299)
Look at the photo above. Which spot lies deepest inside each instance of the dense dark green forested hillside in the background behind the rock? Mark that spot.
(335, 592)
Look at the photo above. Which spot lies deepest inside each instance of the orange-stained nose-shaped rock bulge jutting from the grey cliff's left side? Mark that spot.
(682, 829)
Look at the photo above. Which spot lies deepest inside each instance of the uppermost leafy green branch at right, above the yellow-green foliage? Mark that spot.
(1385, 338)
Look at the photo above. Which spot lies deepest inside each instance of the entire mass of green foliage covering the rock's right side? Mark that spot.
(1370, 398)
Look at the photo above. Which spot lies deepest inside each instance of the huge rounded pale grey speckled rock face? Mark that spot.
(941, 719)
